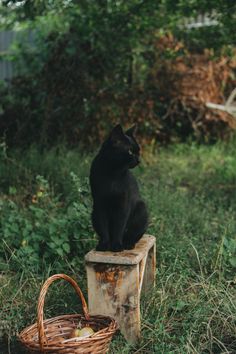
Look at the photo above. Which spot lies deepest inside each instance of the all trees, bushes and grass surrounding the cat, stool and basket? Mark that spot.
(79, 68)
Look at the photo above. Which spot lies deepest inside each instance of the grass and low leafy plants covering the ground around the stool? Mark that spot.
(190, 193)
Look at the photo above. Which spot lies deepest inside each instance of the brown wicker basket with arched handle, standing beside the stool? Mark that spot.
(52, 335)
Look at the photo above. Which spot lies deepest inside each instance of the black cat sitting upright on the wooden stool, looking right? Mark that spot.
(119, 215)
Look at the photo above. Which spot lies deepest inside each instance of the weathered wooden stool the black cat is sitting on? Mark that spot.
(115, 281)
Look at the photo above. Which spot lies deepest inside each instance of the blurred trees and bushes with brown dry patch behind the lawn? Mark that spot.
(93, 63)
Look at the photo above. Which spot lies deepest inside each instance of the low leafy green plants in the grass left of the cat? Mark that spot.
(45, 229)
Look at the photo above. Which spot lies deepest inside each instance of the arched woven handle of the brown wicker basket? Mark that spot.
(41, 300)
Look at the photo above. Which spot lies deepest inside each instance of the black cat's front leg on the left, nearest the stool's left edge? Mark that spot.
(100, 224)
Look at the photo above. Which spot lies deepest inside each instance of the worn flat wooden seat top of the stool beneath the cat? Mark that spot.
(133, 256)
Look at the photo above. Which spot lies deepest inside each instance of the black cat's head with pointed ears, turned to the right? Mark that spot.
(123, 147)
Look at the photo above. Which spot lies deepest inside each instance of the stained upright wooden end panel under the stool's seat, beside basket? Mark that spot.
(113, 290)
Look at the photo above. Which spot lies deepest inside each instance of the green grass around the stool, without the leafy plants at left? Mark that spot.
(191, 194)
